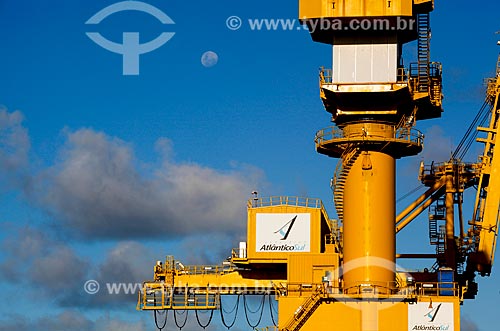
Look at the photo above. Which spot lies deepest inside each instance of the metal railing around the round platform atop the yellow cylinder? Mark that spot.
(401, 134)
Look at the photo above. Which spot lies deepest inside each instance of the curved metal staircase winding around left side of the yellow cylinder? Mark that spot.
(338, 184)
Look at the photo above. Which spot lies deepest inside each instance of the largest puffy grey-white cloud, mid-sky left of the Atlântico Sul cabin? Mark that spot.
(97, 190)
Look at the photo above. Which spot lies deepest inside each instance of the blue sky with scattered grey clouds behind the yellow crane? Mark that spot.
(172, 154)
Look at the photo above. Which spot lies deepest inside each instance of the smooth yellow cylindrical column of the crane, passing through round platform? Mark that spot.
(369, 218)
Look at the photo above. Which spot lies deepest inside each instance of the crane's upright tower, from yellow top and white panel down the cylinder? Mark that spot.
(375, 102)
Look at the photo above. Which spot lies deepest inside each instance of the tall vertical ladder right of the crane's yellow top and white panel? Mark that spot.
(424, 34)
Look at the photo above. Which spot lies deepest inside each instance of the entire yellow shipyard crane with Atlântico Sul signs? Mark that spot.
(343, 273)
